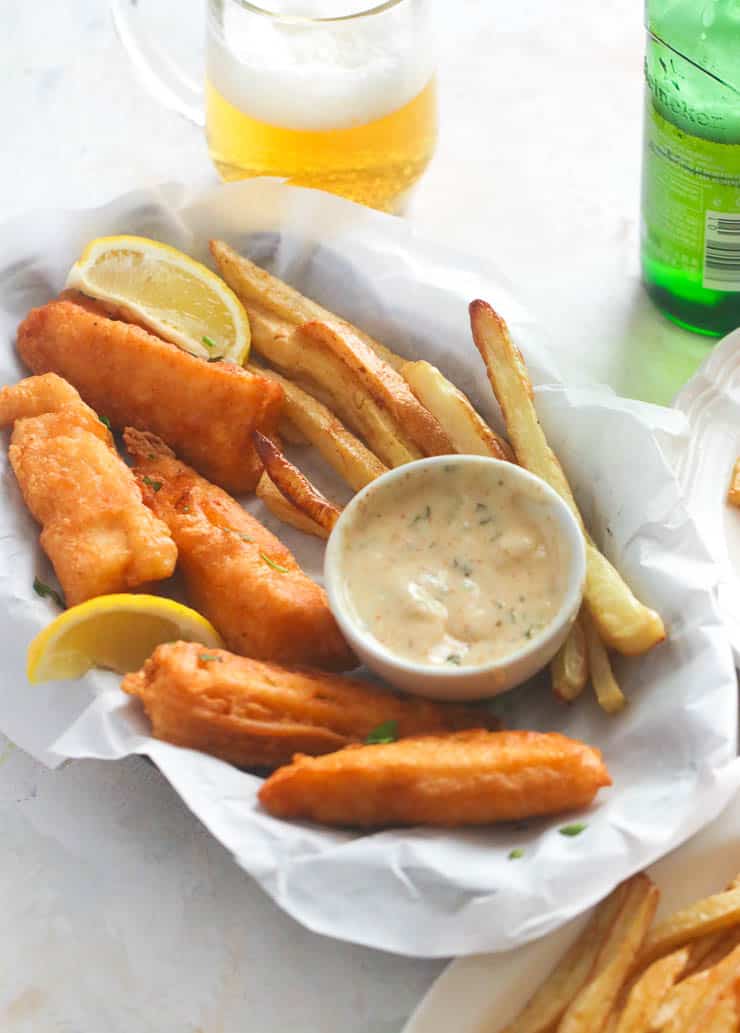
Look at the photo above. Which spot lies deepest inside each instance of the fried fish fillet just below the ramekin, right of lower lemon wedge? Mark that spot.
(258, 715)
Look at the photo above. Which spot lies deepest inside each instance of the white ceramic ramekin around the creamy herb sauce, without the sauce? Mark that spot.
(440, 682)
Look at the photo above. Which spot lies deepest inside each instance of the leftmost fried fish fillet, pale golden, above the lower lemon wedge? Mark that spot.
(97, 530)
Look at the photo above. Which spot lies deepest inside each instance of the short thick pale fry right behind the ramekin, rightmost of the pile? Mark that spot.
(469, 432)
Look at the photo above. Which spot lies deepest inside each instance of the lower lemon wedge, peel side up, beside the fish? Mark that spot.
(115, 632)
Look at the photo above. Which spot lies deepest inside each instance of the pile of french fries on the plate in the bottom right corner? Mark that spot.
(626, 976)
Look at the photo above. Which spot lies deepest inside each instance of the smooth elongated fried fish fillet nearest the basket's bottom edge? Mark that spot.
(468, 778)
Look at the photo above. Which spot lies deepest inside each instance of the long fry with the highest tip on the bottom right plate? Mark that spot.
(590, 1012)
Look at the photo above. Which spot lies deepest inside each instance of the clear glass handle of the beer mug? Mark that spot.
(167, 82)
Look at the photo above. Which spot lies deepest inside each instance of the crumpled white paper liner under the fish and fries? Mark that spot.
(417, 892)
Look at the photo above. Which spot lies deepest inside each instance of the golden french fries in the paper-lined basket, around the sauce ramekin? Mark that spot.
(366, 410)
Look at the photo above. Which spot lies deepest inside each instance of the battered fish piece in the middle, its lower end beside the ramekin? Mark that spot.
(238, 574)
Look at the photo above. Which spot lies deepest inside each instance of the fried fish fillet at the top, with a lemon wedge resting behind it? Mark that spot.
(207, 412)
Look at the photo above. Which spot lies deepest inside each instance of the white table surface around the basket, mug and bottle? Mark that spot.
(120, 913)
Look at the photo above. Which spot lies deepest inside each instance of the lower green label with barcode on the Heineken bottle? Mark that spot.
(692, 203)
